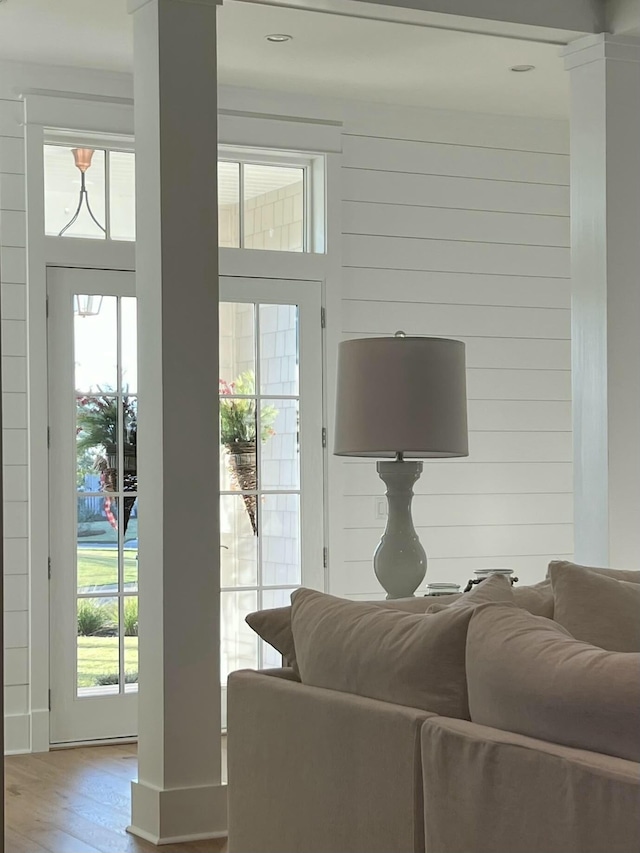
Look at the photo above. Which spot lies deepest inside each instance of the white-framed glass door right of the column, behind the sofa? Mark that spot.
(271, 456)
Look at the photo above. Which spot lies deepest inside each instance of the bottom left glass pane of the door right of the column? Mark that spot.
(239, 644)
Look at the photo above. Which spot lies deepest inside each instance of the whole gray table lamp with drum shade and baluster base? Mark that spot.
(401, 398)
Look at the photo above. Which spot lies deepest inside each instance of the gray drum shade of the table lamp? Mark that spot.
(401, 395)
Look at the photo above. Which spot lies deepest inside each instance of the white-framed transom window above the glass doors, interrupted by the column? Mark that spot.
(266, 200)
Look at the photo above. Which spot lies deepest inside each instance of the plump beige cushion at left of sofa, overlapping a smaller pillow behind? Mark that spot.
(409, 659)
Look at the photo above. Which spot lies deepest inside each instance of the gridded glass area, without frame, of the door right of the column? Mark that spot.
(260, 470)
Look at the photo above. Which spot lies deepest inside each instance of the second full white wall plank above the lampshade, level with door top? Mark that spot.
(454, 288)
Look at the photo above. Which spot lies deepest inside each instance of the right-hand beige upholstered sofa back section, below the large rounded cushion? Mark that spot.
(490, 791)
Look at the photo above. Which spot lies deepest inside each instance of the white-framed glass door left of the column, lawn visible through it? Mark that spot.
(93, 500)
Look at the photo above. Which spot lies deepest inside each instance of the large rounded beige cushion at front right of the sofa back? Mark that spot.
(525, 674)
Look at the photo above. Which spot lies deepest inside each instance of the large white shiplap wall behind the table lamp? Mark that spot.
(454, 228)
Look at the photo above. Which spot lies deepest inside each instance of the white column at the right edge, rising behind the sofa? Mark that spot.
(605, 240)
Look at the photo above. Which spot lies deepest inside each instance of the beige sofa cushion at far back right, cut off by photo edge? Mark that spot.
(598, 609)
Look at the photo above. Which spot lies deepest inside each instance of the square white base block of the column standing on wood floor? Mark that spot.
(179, 814)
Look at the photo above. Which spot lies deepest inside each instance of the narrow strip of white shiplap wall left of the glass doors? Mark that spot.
(14, 433)
